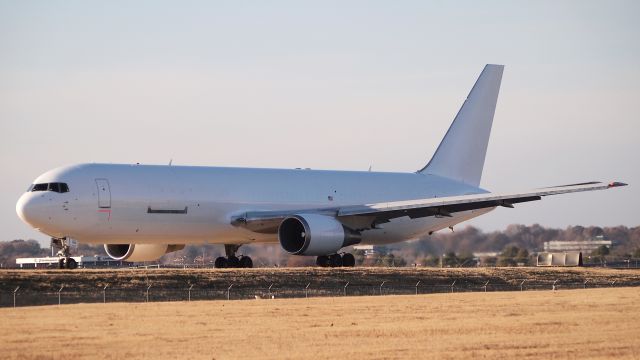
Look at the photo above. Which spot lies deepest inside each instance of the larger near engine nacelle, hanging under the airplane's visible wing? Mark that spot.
(313, 234)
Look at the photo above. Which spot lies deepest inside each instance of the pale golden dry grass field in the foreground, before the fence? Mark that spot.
(591, 323)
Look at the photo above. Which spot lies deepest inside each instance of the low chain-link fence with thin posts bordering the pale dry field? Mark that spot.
(18, 297)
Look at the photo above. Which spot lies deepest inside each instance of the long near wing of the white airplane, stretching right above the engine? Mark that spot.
(368, 216)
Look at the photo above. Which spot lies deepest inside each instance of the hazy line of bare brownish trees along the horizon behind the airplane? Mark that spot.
(514, 246)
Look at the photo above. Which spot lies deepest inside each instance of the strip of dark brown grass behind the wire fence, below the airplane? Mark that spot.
(51, 280)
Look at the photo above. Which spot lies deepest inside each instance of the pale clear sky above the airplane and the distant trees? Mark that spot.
(325, 85)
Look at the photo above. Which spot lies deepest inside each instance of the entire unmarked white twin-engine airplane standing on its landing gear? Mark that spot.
(141, 212)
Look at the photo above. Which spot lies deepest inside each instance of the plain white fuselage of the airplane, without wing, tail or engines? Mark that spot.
(143, 204)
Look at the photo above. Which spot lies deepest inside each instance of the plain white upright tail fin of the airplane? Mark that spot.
(461, 153)
